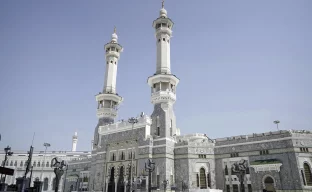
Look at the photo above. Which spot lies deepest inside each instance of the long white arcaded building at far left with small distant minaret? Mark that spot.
(41, 162)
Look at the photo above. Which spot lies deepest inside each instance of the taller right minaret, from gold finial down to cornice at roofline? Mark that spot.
(163, 83)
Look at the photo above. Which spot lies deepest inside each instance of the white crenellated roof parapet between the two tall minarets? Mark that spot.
(143, 121)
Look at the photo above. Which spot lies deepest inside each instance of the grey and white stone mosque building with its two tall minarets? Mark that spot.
(275, 161)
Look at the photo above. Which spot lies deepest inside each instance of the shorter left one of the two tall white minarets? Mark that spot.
(108, 100)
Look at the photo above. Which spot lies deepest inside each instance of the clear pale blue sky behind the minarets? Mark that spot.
(242, 64)
